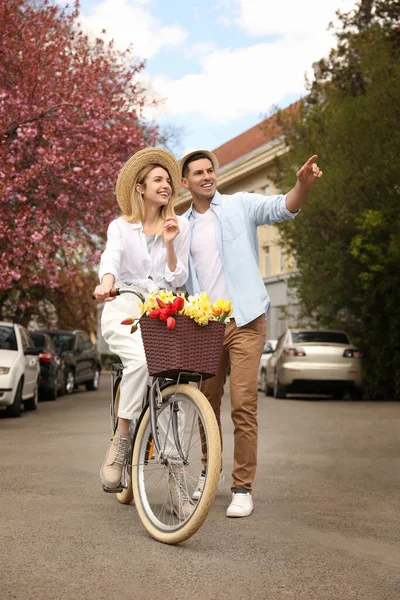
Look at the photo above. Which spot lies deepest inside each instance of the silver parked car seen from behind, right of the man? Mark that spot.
(311, 361)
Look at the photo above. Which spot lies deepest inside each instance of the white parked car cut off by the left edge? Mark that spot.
(19, 369)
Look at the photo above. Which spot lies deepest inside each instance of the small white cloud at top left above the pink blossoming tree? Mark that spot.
(130, 21)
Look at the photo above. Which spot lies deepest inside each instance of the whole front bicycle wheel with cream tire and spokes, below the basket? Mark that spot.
(164, 484)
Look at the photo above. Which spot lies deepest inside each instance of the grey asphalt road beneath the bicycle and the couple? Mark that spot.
(326, 523)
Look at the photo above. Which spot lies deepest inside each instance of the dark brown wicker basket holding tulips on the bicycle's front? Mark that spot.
(188, 347)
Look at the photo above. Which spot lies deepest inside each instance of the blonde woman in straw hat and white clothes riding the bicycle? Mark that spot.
(147, 248)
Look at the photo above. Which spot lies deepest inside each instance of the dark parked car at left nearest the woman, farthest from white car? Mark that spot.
(80, 359)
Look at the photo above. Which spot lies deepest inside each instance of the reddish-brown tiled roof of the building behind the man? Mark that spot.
(252, 138)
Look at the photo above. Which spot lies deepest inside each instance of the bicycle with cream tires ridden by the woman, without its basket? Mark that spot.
(165, 458)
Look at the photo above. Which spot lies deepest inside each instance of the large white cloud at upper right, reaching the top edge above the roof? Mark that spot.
(237, 82)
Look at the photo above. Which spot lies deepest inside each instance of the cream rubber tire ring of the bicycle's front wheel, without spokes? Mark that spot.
(202, 508)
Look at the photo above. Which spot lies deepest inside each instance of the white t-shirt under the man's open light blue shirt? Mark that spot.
(209, 269)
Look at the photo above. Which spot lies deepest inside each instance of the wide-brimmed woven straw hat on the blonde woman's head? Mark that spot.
(131, 168)
